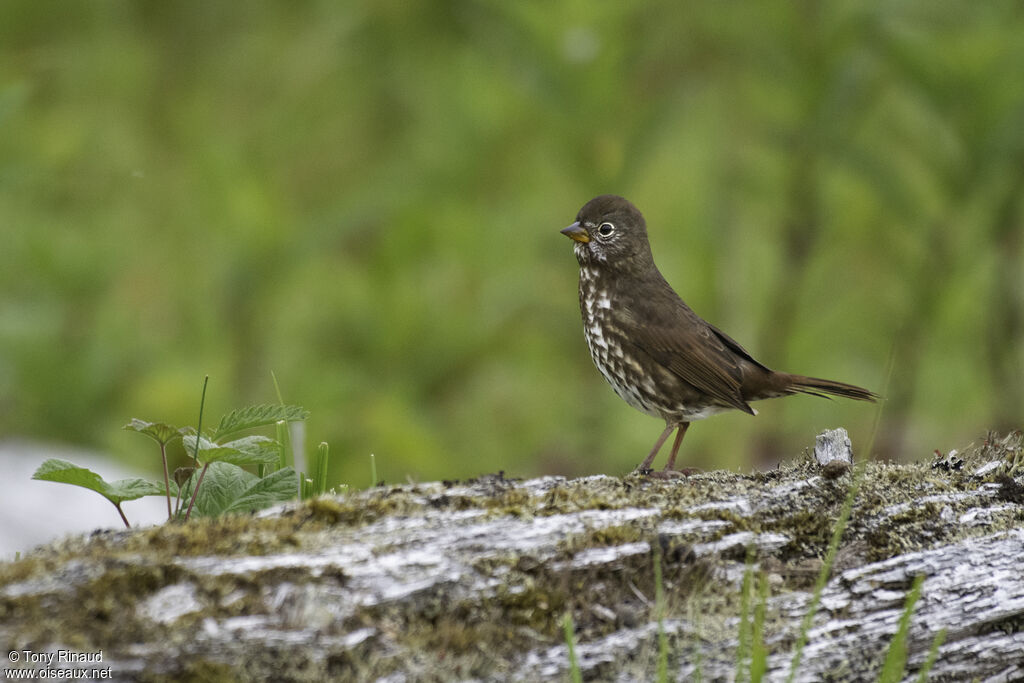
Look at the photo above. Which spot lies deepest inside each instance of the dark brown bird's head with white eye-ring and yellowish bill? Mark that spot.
(610, 232)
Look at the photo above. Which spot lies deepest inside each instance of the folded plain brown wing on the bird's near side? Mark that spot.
(668, 331)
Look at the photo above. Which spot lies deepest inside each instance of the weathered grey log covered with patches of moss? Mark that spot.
(473, 580)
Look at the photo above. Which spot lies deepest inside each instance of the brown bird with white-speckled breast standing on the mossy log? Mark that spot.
(658, 355)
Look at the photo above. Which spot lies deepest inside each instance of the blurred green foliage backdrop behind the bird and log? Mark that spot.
(365, 198)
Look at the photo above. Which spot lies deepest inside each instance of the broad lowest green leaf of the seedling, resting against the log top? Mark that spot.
(229, 489)
